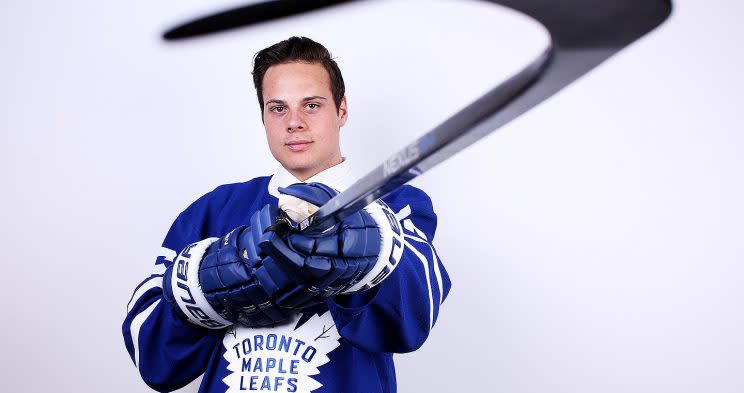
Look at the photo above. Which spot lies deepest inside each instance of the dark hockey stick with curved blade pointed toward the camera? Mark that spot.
(584, 33)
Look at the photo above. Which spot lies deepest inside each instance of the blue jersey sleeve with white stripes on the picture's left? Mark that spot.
(168, 351)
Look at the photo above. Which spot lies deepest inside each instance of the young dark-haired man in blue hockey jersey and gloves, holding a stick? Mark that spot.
(252, 306)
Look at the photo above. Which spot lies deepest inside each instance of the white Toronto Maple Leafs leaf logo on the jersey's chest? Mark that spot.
(280, 359)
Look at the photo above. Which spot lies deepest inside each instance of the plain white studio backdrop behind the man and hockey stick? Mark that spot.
(595, 244)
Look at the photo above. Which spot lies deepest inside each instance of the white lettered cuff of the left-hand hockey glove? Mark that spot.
(187, 293)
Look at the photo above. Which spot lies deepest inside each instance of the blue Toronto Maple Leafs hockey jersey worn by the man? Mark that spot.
(343, 345)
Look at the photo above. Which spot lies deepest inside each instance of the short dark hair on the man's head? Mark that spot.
(297, 49)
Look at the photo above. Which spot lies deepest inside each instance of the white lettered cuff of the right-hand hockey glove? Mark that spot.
(391, 247)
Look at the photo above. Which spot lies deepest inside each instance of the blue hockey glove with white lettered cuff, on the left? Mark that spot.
(213, 282)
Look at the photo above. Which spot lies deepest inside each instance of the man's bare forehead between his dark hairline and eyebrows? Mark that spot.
(289, 79)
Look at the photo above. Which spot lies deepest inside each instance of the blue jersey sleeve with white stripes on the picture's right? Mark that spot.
(397, 315)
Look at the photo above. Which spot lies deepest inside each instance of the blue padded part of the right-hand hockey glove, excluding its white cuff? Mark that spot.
(302, 269)
